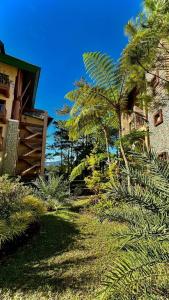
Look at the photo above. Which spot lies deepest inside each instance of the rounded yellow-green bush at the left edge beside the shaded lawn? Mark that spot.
(18, 208)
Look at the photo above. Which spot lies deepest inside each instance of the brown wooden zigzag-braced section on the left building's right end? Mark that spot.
(32, 145)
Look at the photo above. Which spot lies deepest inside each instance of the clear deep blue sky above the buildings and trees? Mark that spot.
(54, 34)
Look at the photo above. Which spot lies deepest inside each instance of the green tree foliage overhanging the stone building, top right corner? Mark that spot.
(148, 41)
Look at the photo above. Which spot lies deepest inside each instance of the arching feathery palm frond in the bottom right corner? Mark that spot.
(137, 273)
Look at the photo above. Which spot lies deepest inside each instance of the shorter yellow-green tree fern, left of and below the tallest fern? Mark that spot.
(90, 117)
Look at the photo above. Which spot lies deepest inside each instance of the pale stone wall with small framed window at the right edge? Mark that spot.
(158, 115)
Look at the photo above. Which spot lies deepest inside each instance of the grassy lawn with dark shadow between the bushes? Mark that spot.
(67, 260)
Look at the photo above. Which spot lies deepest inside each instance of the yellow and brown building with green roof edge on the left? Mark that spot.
(22, 127)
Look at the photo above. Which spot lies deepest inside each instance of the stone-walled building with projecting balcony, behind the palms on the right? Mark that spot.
(155, 119)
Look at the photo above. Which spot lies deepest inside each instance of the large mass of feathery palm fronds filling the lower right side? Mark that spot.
(141, 268)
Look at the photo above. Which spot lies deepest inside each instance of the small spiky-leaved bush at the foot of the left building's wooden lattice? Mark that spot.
(54, 189)
